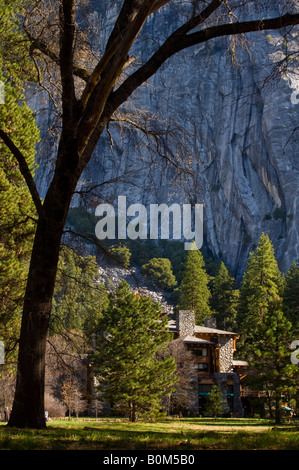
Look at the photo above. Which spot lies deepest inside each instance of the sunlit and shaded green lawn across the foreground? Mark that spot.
(175, 434)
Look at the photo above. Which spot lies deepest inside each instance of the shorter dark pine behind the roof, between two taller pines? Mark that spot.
(224, 300)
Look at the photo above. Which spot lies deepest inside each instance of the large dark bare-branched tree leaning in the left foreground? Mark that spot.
(85, 115)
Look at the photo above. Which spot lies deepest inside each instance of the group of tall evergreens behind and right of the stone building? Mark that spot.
(263, 310)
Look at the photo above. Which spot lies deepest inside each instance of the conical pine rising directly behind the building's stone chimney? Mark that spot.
(194, 289)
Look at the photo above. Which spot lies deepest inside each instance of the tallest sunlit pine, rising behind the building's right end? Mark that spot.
(261, 287)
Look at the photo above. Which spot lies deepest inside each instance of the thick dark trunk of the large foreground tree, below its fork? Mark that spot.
(28, 406)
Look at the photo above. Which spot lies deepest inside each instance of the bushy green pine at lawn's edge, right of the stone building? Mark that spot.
(273, 370)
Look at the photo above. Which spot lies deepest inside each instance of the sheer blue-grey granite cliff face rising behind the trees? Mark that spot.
(239, 129)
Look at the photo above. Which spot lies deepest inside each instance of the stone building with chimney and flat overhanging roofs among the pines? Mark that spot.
(213, 352)
